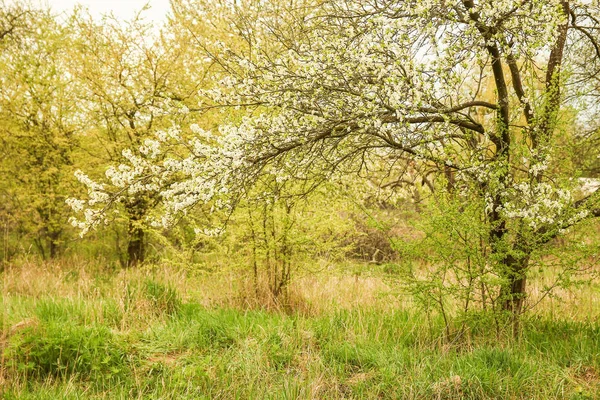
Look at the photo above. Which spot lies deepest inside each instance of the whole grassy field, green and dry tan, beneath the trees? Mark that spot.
(83, 332)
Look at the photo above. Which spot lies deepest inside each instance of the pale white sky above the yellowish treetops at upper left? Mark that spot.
(123, 9)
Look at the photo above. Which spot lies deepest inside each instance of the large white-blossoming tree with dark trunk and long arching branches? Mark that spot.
(475, 89)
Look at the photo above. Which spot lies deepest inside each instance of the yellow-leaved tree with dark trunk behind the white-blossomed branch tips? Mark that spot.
(132, 84)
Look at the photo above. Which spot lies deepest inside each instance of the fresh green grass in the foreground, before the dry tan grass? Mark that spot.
(226, 353)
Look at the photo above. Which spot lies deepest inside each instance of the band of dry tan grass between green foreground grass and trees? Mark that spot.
(311, 294)
